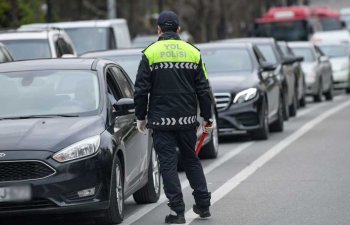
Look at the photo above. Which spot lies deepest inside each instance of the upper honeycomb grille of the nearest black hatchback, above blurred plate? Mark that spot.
(24, 170)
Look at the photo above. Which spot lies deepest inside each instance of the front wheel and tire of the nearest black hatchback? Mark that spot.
(115, 213)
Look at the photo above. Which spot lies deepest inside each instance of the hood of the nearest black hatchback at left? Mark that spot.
(49, 134)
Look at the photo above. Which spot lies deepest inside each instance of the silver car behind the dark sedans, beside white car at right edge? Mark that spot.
(317, 69)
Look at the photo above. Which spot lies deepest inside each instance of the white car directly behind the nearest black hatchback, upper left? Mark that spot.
(38, 44)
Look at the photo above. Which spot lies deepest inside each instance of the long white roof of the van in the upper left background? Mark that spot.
(75, 24)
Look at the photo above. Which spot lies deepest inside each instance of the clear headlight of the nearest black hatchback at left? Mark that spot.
(78, 150)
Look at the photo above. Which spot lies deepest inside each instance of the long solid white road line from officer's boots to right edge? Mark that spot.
(266, 157)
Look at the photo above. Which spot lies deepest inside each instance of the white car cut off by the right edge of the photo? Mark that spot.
(339, 54)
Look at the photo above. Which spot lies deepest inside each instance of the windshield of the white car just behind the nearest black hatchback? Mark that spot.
(28, 49)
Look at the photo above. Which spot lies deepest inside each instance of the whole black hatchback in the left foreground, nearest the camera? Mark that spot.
(68, 142)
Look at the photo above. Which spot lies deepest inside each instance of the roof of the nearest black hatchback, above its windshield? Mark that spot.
(49, 64)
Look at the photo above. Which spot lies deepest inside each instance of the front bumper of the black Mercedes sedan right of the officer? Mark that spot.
(240, 117)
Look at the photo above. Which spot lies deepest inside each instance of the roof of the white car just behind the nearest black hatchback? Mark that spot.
(21, 35)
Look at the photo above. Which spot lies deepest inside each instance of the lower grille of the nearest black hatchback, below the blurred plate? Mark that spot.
(33, 204)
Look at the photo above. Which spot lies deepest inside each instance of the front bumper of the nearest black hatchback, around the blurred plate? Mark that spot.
(58, 192)
